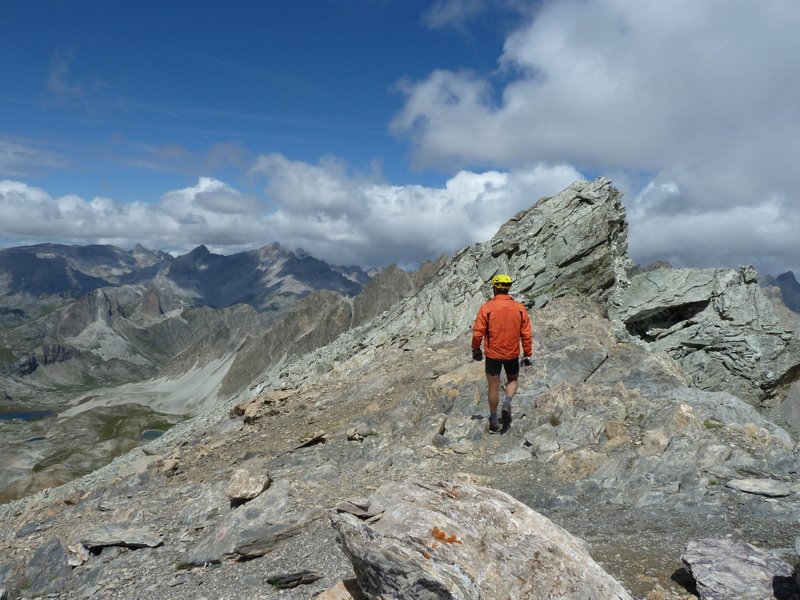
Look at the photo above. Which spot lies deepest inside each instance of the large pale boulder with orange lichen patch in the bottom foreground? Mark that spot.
(448, 540)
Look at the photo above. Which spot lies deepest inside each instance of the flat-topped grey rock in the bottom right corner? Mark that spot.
(728, 568)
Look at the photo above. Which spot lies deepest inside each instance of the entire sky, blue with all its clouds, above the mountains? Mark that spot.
(378, 131)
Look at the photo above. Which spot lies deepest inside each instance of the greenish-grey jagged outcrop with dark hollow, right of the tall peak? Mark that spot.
(718, 324)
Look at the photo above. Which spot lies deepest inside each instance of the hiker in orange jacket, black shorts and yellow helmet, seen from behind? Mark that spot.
(501, 324)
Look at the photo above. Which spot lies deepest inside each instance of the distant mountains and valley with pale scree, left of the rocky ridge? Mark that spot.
(104, 339)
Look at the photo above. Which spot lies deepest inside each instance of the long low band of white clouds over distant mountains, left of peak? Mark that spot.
(339, 216)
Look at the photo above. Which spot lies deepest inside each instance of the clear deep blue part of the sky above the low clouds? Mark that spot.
(180, 89)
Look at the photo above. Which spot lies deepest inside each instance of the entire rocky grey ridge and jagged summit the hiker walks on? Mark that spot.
(643, 461)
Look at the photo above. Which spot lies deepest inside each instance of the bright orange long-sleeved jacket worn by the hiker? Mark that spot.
(501, 323)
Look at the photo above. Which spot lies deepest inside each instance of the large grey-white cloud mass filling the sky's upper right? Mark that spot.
(699, 97)
